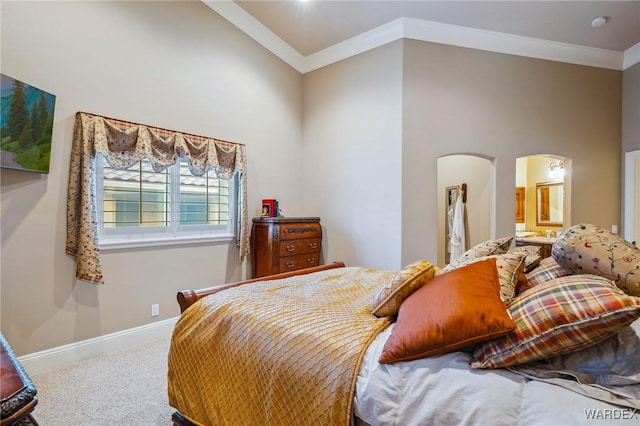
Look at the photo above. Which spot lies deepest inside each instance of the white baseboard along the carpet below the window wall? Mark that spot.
(61, 356)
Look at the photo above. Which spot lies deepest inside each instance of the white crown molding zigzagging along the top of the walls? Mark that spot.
(425, 31)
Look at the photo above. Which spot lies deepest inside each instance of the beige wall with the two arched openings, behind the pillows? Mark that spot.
(458, 100)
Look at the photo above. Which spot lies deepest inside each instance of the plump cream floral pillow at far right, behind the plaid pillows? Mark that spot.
(590, 249)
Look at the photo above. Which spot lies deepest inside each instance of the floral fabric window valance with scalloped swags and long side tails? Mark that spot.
(124, 144)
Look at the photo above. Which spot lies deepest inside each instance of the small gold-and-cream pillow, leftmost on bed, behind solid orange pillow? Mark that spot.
(386, 301)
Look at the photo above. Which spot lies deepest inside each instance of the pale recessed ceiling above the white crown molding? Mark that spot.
(313, 25)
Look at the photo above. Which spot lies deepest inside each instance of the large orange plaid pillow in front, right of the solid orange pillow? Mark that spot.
(559, 316)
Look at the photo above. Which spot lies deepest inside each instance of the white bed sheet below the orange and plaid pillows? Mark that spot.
(443, 390)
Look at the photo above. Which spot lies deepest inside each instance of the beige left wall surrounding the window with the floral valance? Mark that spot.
(170, 64)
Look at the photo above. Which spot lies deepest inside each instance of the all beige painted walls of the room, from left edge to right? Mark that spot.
(355, 142)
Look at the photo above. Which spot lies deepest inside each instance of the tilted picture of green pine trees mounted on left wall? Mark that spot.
(26, 125)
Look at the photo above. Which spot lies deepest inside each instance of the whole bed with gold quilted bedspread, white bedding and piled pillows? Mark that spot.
(338, 344)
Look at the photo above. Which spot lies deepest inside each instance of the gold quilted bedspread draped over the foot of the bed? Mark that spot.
(283, 352)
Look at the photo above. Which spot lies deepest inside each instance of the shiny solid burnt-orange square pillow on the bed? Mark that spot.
(454, 310)
